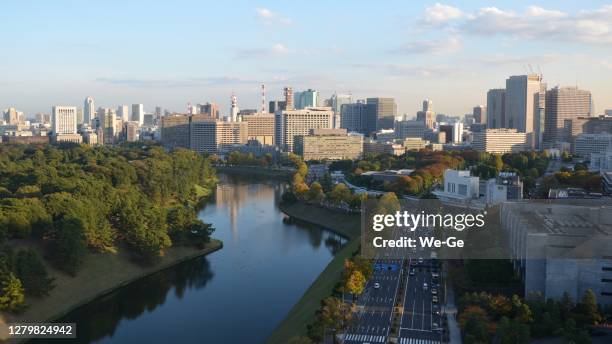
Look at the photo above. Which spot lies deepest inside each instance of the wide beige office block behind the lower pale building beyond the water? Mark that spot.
(291, 123)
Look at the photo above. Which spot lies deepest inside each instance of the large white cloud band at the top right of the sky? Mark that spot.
(586, 26)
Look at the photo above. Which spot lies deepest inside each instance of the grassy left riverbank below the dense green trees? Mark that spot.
(100, 274)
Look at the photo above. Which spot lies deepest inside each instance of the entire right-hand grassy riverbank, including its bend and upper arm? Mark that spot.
(303, 312)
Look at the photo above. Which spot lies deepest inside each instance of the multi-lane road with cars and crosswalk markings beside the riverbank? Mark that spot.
(420, 320)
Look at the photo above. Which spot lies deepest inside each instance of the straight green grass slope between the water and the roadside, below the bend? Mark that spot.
(303, 311)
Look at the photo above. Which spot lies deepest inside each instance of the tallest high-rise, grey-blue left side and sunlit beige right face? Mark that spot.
(524, 106)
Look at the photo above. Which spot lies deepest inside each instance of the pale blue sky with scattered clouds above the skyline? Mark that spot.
(169, 53)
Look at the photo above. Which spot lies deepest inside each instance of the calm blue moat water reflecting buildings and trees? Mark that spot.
(236, 295)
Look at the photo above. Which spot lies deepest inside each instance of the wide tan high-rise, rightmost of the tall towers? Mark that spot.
(564, 107)
